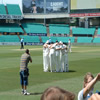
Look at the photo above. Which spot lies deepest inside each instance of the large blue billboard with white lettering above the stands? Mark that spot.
(49, 6)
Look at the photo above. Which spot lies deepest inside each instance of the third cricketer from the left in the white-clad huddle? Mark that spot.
(57, 56)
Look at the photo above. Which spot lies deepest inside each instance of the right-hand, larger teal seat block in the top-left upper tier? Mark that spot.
(13, 9)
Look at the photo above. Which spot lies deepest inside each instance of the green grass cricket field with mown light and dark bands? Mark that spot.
(83, 59)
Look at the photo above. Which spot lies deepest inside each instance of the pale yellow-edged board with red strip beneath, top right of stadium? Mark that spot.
(81, 8)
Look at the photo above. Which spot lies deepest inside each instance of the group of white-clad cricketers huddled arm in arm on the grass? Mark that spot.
(55, 57)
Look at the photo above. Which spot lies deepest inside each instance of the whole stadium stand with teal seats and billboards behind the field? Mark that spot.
(37, 20)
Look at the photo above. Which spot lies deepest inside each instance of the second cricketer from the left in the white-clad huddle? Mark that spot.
(52, 57)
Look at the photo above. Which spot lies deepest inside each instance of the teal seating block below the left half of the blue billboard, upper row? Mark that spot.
(35, 29)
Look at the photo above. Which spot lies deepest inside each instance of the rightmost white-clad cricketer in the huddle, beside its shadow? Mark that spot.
(64, 58)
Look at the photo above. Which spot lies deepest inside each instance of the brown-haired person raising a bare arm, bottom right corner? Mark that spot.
(89, 82)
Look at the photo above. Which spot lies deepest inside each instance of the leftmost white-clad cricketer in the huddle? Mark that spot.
(46, 56)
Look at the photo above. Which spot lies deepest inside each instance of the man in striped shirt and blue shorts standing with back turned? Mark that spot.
(24, 71)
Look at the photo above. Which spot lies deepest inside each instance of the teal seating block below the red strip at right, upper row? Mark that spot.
(83, 31)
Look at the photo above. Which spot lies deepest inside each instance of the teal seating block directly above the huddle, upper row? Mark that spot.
(59, 29)
